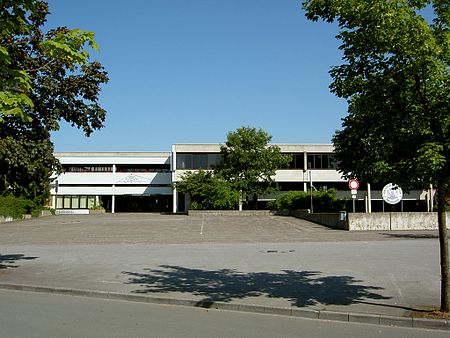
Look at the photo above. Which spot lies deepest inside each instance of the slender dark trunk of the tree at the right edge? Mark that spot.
(443, 243)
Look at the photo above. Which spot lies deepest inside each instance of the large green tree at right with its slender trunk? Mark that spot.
(395, 78)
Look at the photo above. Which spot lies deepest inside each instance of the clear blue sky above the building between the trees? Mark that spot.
(191, 71)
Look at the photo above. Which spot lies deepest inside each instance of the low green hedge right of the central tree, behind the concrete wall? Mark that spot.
(324, 201)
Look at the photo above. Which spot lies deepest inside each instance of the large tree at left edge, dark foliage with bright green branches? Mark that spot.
(44, 78)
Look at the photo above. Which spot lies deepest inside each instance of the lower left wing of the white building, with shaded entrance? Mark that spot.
(117, 181)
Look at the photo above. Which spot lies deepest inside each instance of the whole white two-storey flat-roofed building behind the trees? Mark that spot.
(144, 181)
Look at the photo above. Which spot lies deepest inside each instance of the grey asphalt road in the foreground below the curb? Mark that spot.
(27, 314)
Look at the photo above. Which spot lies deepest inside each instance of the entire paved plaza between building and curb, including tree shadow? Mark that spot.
(270, 262)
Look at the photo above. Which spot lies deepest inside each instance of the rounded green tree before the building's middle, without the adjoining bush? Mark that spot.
(249, 162)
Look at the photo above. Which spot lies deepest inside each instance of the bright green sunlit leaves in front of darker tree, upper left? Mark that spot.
(21, 19)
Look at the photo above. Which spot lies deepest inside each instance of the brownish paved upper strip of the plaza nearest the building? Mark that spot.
(181, 229)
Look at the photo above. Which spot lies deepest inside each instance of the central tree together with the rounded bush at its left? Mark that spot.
(246, 172)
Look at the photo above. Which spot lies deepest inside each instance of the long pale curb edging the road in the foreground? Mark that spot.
(378, 319)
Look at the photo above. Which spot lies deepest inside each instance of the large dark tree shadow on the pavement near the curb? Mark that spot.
(301, 288)
